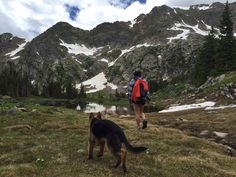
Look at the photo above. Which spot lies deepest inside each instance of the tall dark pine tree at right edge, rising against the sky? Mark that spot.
(226, 55)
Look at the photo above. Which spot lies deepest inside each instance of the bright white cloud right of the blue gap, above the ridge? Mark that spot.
(95, 14)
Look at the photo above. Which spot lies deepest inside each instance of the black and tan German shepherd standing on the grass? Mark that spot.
(107, 132)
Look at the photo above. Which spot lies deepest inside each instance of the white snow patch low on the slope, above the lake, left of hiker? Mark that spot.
(97, 83)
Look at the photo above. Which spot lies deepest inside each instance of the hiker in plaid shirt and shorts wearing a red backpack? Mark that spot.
(138, 95)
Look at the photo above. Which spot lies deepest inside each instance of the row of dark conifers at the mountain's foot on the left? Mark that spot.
(16, 82)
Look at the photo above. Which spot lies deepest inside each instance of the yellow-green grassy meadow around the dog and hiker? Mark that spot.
(55, 145)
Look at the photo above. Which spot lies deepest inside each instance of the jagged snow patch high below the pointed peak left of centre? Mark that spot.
(78, 48)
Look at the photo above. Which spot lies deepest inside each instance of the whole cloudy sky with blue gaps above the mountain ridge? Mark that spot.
(29, 18)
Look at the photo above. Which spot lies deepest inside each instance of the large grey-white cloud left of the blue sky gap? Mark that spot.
(32, 17)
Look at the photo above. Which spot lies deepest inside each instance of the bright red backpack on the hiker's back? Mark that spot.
(140, 90)
